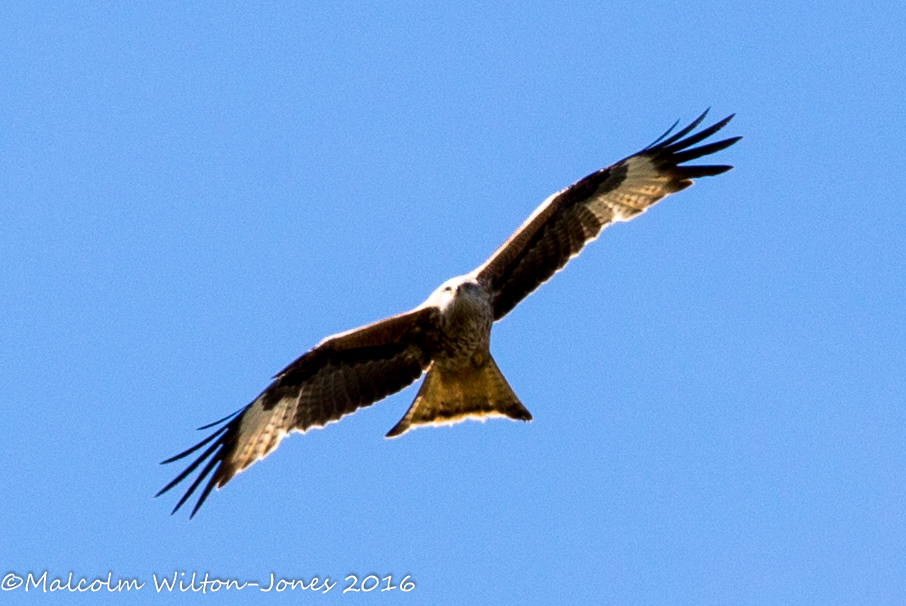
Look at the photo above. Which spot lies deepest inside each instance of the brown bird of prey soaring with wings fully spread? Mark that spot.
(448, 336)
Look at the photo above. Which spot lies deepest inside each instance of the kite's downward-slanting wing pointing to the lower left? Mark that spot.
(341, 374)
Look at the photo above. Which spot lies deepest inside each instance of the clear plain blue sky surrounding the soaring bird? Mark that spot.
(192, 196)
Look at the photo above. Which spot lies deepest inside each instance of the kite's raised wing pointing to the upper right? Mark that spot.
(566, 221)
